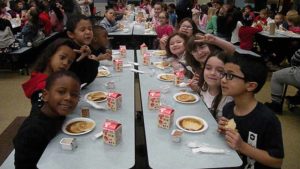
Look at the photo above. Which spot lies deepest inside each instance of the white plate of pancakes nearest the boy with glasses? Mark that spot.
(191, 124)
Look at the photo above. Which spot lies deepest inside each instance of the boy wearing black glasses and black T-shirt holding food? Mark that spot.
(258, 136)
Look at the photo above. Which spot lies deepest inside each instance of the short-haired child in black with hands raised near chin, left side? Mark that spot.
(79, 29)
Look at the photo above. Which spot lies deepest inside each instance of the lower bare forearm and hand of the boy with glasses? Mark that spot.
(235, 141)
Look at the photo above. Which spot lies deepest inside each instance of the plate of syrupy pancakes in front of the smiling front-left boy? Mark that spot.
(78, 126)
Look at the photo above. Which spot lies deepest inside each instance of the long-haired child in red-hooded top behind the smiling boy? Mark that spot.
(59, 55)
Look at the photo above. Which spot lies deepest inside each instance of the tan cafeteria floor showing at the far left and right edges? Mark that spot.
(13, 103)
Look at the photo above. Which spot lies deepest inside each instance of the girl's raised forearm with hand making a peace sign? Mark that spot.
(211, 39)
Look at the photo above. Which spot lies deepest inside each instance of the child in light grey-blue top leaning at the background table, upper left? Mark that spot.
(109, 21)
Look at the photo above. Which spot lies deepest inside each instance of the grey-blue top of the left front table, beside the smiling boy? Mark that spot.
(95, 153)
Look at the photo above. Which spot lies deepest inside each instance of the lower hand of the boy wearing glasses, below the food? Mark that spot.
(233, 139)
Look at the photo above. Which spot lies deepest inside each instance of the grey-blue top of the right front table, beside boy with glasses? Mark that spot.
(165, 154)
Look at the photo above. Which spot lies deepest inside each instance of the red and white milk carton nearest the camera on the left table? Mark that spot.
(112, 132)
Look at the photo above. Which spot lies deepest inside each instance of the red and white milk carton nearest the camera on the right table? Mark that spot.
(165, 117)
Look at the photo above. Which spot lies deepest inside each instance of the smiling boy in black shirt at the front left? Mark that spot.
(60, 96)
